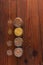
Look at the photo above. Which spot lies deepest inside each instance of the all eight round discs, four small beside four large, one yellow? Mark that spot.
(18, 41)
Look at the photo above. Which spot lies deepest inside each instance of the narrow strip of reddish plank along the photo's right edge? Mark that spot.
(40, 2)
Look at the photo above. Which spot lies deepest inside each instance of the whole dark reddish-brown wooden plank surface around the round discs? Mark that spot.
(31, 11)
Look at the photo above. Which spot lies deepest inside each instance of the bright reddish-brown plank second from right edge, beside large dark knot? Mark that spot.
(34, 19)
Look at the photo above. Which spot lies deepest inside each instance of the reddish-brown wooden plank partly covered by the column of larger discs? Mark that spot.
(22, 12)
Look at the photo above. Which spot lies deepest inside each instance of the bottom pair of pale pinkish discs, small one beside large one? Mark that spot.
(17, 52)
